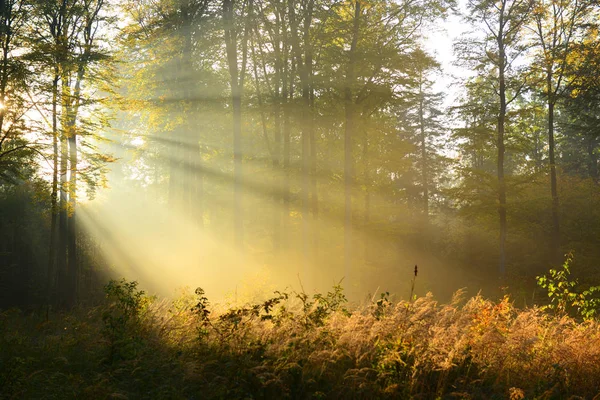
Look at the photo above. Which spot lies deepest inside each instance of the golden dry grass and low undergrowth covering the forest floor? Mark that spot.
(297, 346)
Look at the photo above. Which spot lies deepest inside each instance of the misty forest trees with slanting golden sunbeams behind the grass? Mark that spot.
(306, 139)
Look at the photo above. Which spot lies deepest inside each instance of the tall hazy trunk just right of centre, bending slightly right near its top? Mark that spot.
(348, 136)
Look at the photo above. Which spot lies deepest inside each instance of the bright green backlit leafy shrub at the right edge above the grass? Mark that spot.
(563, 295)
